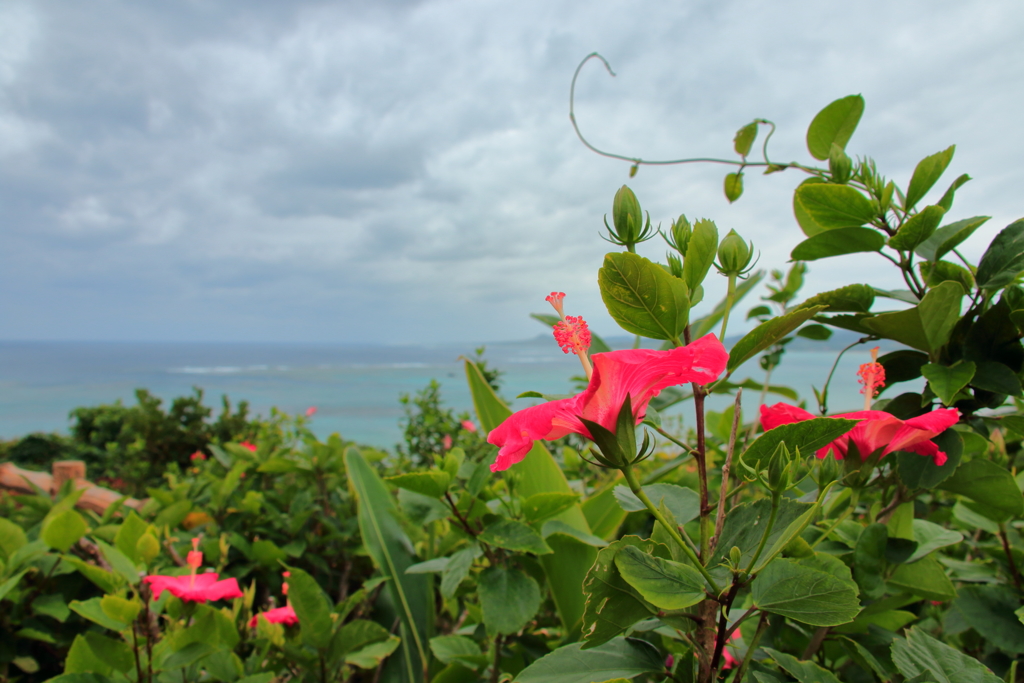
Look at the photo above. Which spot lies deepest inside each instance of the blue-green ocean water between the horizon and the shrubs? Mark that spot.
(356, 390)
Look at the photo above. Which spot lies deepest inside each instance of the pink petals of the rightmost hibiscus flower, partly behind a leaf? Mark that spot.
(877, 431)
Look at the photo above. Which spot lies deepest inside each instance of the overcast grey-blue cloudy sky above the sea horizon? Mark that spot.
(406, 173)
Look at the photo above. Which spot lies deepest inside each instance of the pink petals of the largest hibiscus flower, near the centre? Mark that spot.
(639, 374)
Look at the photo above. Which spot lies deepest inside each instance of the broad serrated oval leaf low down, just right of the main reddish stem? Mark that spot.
(805, 594)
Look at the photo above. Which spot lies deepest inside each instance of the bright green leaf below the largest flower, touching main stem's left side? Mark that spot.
(663, 583)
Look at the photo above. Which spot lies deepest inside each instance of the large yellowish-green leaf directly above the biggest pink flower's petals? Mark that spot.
(643, 297)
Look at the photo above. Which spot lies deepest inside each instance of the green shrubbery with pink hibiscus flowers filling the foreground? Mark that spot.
(600, 541)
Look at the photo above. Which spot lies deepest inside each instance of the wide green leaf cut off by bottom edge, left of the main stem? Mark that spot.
(622, 658)
